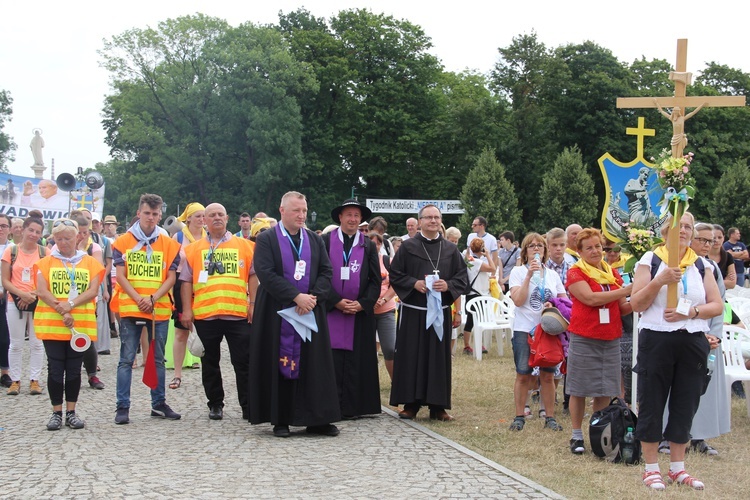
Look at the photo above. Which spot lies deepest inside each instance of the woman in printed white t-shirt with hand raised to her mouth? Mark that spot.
(531, 287)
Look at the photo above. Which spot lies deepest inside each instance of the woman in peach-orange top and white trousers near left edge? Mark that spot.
(22, 283)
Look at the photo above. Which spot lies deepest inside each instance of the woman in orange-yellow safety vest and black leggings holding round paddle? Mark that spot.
(67, 284)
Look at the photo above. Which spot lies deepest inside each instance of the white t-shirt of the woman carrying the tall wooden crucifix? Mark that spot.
(653, 317)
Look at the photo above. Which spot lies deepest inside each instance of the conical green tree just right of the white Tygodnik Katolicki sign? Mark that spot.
(488, 193)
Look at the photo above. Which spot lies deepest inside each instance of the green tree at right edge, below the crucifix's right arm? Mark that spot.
(730, 205)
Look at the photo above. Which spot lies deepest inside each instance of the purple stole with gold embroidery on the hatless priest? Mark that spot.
(289, 341)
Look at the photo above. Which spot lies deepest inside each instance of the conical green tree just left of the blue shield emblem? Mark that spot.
(567, 195)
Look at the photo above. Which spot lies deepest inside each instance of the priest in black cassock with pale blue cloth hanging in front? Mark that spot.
(428, 274)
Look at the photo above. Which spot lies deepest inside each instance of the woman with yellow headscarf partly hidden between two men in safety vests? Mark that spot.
(193, 219)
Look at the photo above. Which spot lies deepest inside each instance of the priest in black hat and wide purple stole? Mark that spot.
(355, 288)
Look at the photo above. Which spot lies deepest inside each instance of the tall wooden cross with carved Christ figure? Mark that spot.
(679, 103)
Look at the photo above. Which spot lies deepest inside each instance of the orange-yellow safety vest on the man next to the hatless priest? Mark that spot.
(221, 294)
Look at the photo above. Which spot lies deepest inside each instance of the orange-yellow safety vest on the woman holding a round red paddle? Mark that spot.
(48, 324)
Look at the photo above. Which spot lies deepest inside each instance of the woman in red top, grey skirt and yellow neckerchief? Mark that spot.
(599, 300)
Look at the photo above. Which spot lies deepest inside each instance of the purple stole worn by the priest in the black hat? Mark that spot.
(340, 325)
